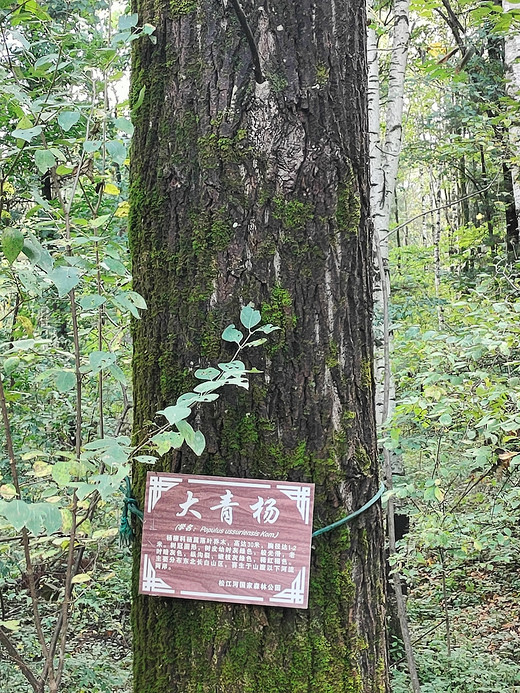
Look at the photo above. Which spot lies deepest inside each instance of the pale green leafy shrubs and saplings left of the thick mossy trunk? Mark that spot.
(65, 304)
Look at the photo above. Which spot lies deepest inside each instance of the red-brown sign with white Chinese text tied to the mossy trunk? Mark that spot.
(225, 539)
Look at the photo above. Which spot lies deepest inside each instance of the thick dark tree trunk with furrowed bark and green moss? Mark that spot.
(249, 183)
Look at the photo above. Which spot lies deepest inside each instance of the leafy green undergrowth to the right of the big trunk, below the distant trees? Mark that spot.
(457, 429)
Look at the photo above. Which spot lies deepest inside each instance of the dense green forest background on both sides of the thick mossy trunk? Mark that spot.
(66, 301)
